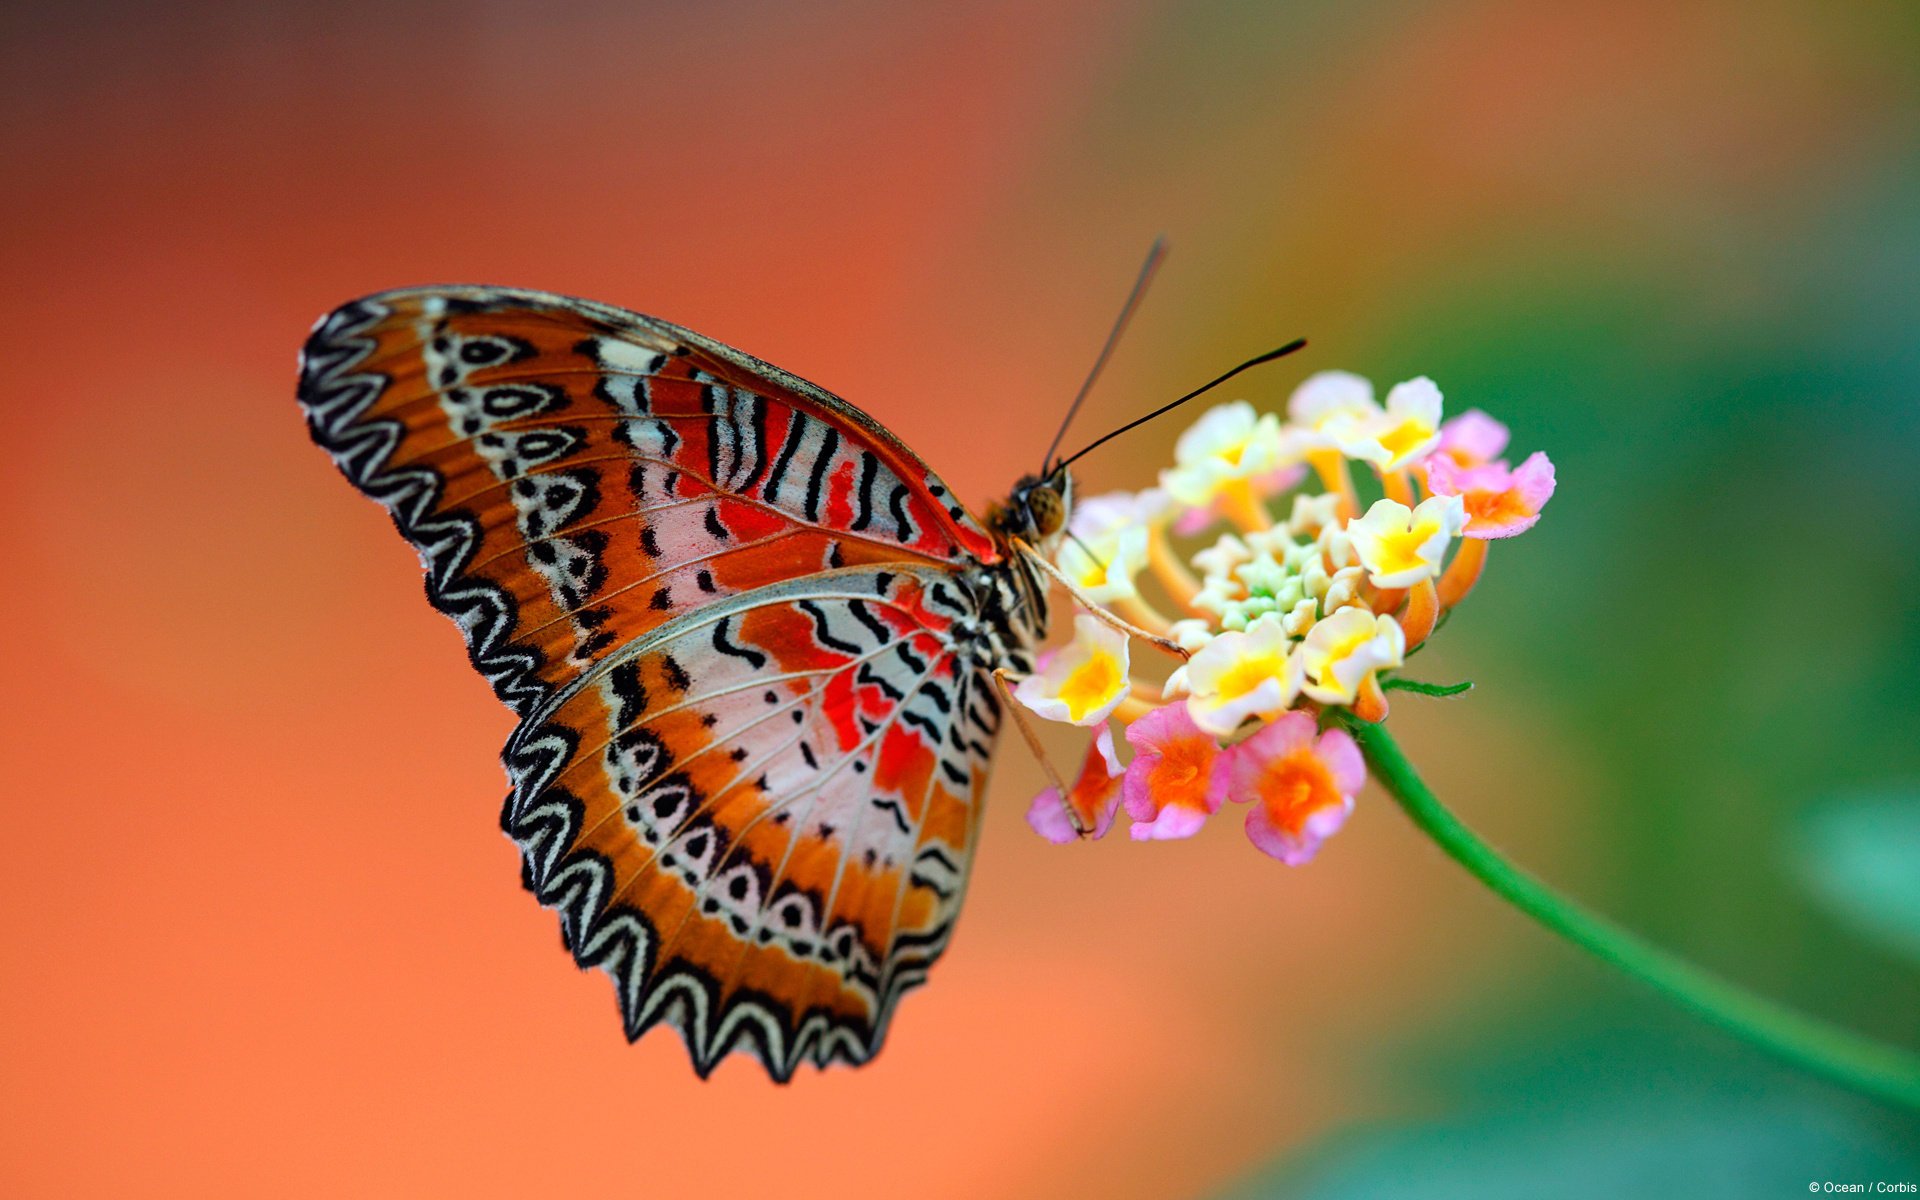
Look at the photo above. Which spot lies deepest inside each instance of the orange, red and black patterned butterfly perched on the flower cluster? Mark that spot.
(750, 638)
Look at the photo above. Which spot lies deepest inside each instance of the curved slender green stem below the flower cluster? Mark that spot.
(1844, 1057)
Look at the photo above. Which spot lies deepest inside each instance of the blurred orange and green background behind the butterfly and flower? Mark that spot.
(262, 934)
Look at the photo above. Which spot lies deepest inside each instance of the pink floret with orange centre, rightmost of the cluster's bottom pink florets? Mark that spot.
(1301, 790)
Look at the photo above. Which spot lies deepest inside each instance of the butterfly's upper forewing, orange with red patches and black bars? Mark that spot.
(577, 475)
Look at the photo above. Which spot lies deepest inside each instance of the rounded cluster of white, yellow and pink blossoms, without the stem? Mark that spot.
(1278, 619)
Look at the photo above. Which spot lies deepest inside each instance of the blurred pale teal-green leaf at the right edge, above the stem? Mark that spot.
(1860, 855)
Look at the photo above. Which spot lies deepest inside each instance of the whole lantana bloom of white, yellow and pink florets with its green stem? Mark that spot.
(1284, 646)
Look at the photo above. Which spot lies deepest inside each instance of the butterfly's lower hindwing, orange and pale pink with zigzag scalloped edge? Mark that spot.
(759, 817)
